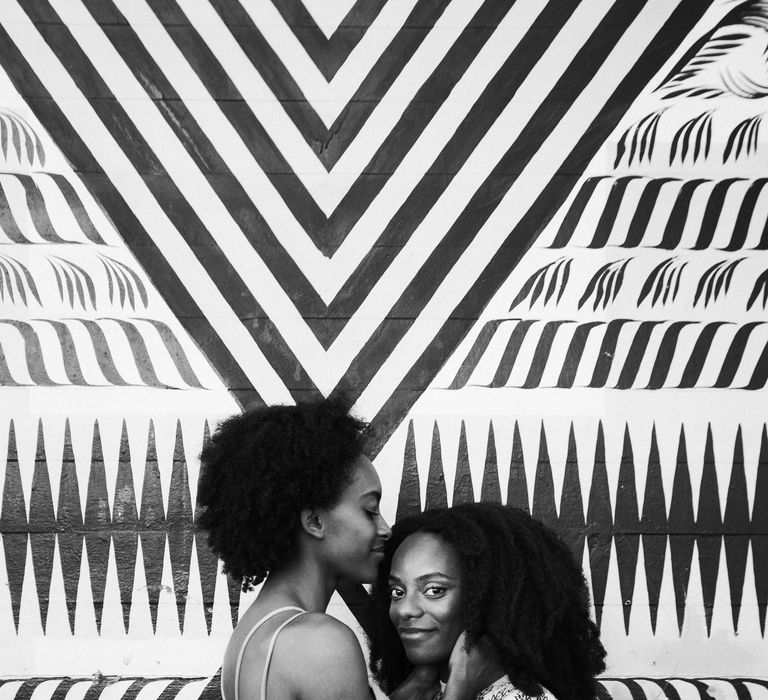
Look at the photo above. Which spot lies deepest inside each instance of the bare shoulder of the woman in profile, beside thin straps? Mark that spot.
(323, 658)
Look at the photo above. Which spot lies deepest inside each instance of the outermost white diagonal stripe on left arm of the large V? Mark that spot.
(132, 187)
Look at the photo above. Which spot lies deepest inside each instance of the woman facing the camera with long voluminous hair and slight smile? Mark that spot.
(499, 579)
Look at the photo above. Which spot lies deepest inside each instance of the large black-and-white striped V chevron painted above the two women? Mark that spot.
(323, 201)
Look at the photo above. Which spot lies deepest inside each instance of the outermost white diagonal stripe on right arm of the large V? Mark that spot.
(517, 200)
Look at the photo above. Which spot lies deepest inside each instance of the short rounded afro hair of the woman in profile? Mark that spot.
(261, 468)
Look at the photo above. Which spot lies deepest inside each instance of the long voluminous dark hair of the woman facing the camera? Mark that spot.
(521, 589)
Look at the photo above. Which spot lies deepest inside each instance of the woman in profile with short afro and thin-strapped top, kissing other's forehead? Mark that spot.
(289, 499)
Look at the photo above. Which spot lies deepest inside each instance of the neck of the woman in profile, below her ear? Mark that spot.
(300, 583)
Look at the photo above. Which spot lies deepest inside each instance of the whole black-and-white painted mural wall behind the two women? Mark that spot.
(529, 239)
